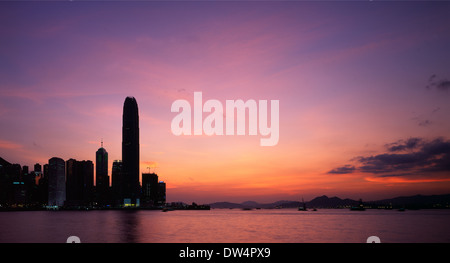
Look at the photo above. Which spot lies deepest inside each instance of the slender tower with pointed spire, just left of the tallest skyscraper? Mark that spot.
(101, 173)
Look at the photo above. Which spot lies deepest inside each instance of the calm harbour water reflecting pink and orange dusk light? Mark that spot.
(225, 225)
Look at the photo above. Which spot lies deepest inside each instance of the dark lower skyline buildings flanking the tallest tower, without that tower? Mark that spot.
(70, 184)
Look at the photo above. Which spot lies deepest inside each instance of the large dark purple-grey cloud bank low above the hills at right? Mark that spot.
(411, 158)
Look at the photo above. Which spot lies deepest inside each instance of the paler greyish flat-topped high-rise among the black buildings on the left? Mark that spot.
(56, 182)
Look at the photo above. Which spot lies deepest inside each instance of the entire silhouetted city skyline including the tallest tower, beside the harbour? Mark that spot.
(70, 183)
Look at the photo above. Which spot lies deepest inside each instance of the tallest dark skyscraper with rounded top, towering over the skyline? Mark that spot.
(130, 153)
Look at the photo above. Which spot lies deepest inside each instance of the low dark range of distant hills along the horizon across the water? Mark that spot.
(416, 201)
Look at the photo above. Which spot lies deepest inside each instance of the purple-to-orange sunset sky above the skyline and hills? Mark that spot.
(363, 91)
